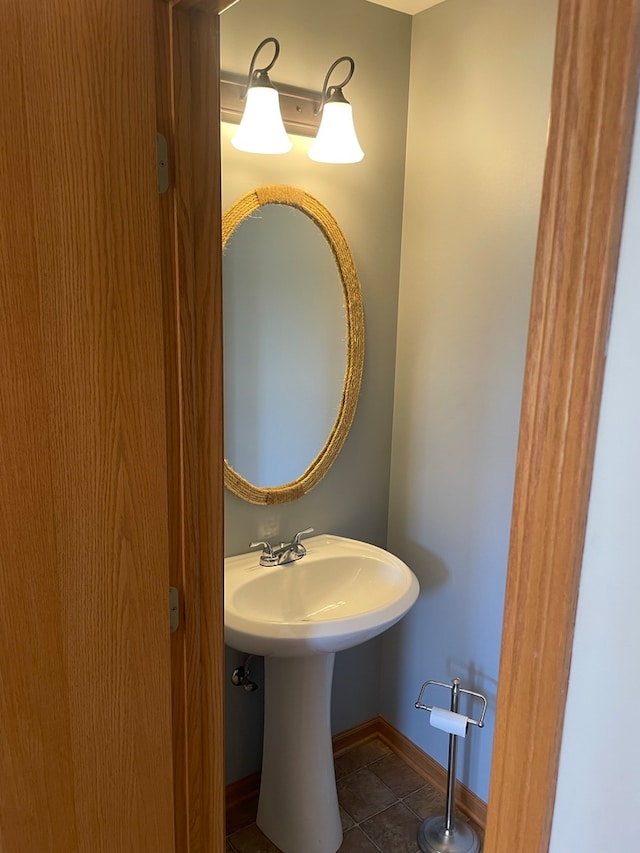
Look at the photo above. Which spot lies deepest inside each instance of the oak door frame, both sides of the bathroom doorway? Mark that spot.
(592, 115)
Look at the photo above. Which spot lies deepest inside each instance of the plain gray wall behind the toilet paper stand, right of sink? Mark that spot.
(478, 112)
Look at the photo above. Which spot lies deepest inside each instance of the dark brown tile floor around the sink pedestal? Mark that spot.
(382, 800)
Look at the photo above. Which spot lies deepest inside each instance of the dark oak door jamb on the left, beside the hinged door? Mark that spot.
(187, 93)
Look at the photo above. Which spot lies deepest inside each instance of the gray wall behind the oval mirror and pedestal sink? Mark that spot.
(366, 199)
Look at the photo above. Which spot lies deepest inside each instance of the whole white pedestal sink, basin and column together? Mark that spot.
(298, 615)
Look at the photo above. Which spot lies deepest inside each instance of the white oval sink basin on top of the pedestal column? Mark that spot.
(341, 593)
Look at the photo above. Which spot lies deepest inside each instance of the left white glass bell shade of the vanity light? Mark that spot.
(261, 130)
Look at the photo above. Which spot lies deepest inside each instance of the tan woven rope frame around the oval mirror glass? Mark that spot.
(318, 213)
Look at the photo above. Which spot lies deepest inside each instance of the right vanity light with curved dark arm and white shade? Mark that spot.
(336, 141)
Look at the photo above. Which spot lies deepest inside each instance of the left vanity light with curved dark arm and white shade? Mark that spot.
(261, 130)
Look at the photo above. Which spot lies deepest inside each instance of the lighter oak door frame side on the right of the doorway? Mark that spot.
(593, 107)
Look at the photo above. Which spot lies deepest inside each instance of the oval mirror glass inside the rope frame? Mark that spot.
(285, 344)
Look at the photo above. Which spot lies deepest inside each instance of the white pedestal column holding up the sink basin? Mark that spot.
(298, 805)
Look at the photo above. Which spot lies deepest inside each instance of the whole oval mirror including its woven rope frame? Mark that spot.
(293, 343)
